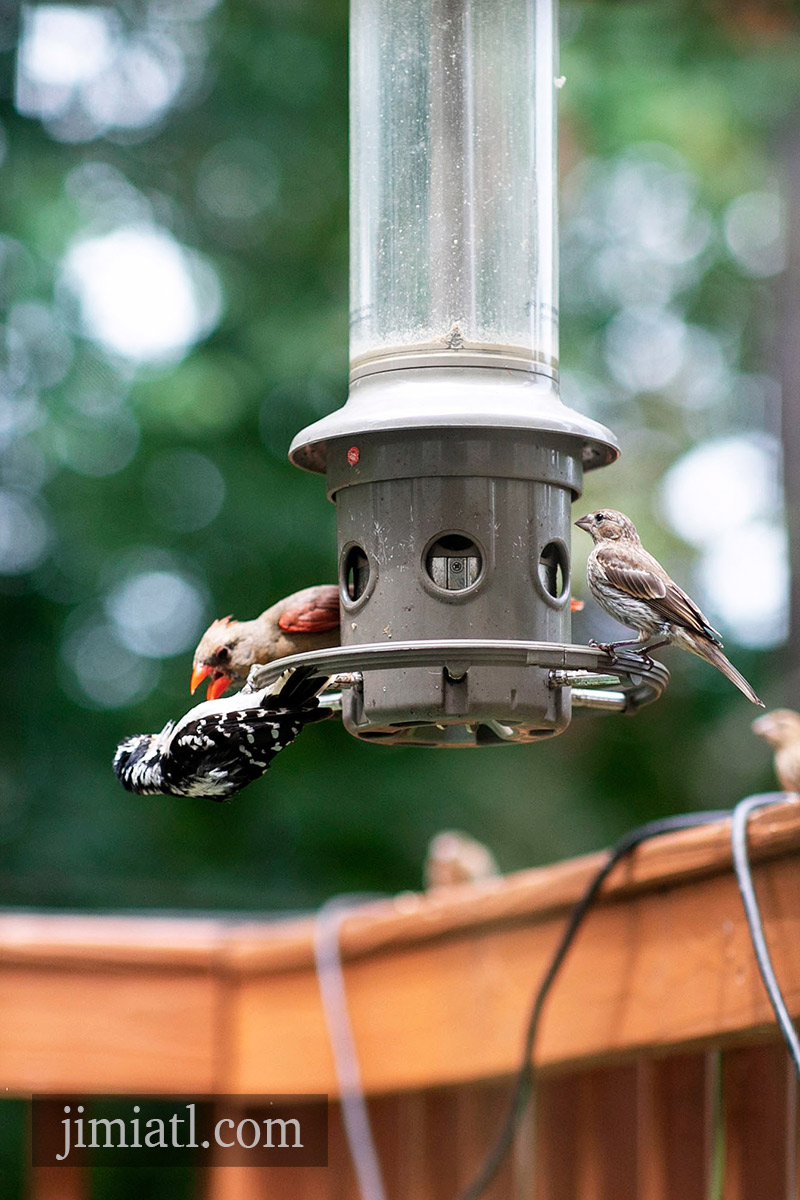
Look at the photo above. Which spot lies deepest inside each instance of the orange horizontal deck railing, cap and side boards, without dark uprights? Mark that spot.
(438, 991)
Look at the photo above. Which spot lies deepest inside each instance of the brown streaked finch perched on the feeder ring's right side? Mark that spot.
(635, 590)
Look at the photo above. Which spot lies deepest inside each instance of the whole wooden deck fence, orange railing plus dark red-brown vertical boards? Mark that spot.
(663, 1077)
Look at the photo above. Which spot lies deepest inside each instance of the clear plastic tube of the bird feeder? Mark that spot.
(453, 219)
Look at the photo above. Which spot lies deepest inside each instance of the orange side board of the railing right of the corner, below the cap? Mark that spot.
(655, 971)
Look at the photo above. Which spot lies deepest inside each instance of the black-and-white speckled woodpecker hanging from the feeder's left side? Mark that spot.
(221, 746)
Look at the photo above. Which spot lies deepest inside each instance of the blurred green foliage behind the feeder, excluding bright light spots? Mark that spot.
(334, 815)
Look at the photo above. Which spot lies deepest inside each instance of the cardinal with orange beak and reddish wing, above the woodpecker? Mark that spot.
(305, 621)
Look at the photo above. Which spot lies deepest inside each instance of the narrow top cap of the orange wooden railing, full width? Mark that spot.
(250, 946)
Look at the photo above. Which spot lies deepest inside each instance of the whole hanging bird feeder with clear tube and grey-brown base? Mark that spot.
(454, 463)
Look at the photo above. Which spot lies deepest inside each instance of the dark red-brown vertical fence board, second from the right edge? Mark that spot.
(676, 1127)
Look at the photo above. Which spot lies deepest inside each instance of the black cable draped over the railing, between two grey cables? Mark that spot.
(525, 1079)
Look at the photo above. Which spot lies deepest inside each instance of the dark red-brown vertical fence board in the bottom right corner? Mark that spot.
(760, 1125)
